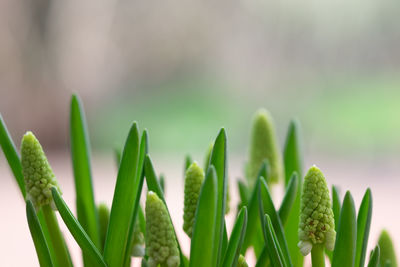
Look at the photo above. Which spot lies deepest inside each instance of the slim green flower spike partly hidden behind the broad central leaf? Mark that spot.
(193, 180)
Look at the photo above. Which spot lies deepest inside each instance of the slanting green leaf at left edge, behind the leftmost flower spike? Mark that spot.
(12, 156)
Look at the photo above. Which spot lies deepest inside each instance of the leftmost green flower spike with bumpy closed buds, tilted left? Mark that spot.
(38, 175)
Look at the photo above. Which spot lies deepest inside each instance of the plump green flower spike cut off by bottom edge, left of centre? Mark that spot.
(161, 245)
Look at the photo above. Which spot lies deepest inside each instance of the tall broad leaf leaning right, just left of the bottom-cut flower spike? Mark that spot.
(127, 188)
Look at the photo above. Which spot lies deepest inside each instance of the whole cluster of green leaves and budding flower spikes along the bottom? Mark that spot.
(308, 219)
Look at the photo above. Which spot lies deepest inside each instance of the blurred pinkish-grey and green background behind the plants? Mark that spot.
(183, 69)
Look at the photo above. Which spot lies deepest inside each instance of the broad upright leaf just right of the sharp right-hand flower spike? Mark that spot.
(346, 238)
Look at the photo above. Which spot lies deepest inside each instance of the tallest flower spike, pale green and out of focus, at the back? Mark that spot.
(264, 146)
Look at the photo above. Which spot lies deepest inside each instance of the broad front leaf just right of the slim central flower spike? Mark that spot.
(203, 245)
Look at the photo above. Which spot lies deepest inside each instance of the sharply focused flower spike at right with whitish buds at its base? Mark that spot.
(317, 225)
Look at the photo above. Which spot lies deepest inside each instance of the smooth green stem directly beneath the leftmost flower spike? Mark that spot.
(60, 249)
